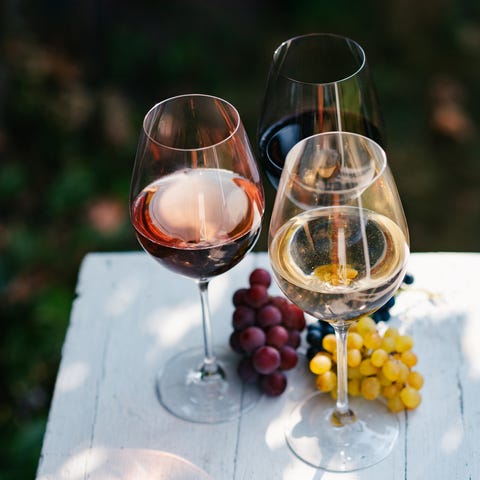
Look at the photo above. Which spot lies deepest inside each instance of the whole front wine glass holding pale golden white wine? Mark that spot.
(338, 246)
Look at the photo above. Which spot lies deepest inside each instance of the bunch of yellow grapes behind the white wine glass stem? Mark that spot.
(378, 366)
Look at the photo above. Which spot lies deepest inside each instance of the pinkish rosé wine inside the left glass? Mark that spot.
(198, 222)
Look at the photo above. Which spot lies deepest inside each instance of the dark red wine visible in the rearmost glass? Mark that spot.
(277, 140)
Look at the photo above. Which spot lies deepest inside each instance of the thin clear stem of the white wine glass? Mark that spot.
(342, 414)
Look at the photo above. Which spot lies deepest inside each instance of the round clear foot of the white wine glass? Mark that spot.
(366, 441)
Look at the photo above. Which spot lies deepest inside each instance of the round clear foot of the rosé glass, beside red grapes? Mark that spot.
(194, 395)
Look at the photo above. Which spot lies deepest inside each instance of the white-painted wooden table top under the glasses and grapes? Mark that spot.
(131, 315)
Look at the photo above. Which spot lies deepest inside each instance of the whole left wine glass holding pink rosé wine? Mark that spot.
(196, 203)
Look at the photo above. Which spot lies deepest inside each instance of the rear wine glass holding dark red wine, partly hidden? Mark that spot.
(317, 83)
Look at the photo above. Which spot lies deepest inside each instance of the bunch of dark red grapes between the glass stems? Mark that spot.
(266, 333)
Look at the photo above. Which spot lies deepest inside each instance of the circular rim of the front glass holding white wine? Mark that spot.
(290, 160)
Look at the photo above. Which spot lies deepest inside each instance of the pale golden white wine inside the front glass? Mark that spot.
(339, 263)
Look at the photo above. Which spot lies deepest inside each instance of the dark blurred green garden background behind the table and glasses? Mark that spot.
(77, 77)
